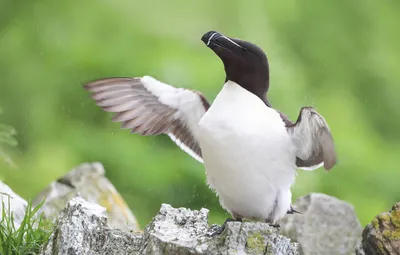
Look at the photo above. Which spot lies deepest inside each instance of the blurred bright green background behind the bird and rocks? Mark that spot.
(342, 57)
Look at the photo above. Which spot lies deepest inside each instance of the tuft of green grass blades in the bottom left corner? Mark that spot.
(29, 237)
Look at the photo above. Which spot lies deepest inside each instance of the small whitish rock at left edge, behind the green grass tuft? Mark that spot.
(12, 203)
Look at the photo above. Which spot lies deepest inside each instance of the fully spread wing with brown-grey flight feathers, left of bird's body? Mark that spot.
(150, 107)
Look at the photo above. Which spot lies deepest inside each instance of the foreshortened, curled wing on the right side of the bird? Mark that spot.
(313, 141)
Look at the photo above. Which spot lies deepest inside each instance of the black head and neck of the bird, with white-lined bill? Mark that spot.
(245, 63)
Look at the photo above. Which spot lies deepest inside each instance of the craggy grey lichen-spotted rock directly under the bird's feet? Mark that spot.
(182, 231)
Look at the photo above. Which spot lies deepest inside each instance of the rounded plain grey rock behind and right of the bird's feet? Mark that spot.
(326, 225)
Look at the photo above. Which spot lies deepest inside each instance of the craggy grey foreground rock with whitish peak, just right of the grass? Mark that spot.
(82, 229)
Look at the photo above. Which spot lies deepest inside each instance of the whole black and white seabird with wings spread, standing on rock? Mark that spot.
(250, 150)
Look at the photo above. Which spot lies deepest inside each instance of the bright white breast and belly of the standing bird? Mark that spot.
(248, 155)
